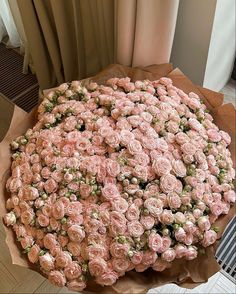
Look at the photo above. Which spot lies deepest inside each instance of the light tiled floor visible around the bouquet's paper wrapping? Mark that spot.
(15, 279)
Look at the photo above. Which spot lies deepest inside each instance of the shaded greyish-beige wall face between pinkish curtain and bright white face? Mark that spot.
(192, 37)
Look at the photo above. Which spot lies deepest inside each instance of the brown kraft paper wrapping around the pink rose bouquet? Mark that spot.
(188, 274)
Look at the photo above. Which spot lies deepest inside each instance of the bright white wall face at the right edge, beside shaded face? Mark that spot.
(222, 48)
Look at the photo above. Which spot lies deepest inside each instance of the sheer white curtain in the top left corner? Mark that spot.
(7, 25)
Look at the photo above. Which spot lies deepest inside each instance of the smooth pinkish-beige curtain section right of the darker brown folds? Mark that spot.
(145, 31)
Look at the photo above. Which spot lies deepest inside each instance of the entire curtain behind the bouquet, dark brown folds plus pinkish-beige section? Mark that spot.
(73, 39)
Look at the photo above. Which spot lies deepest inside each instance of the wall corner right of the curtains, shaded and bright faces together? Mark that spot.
(204, 42)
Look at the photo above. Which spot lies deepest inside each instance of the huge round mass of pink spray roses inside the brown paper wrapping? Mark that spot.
(118, 178)
